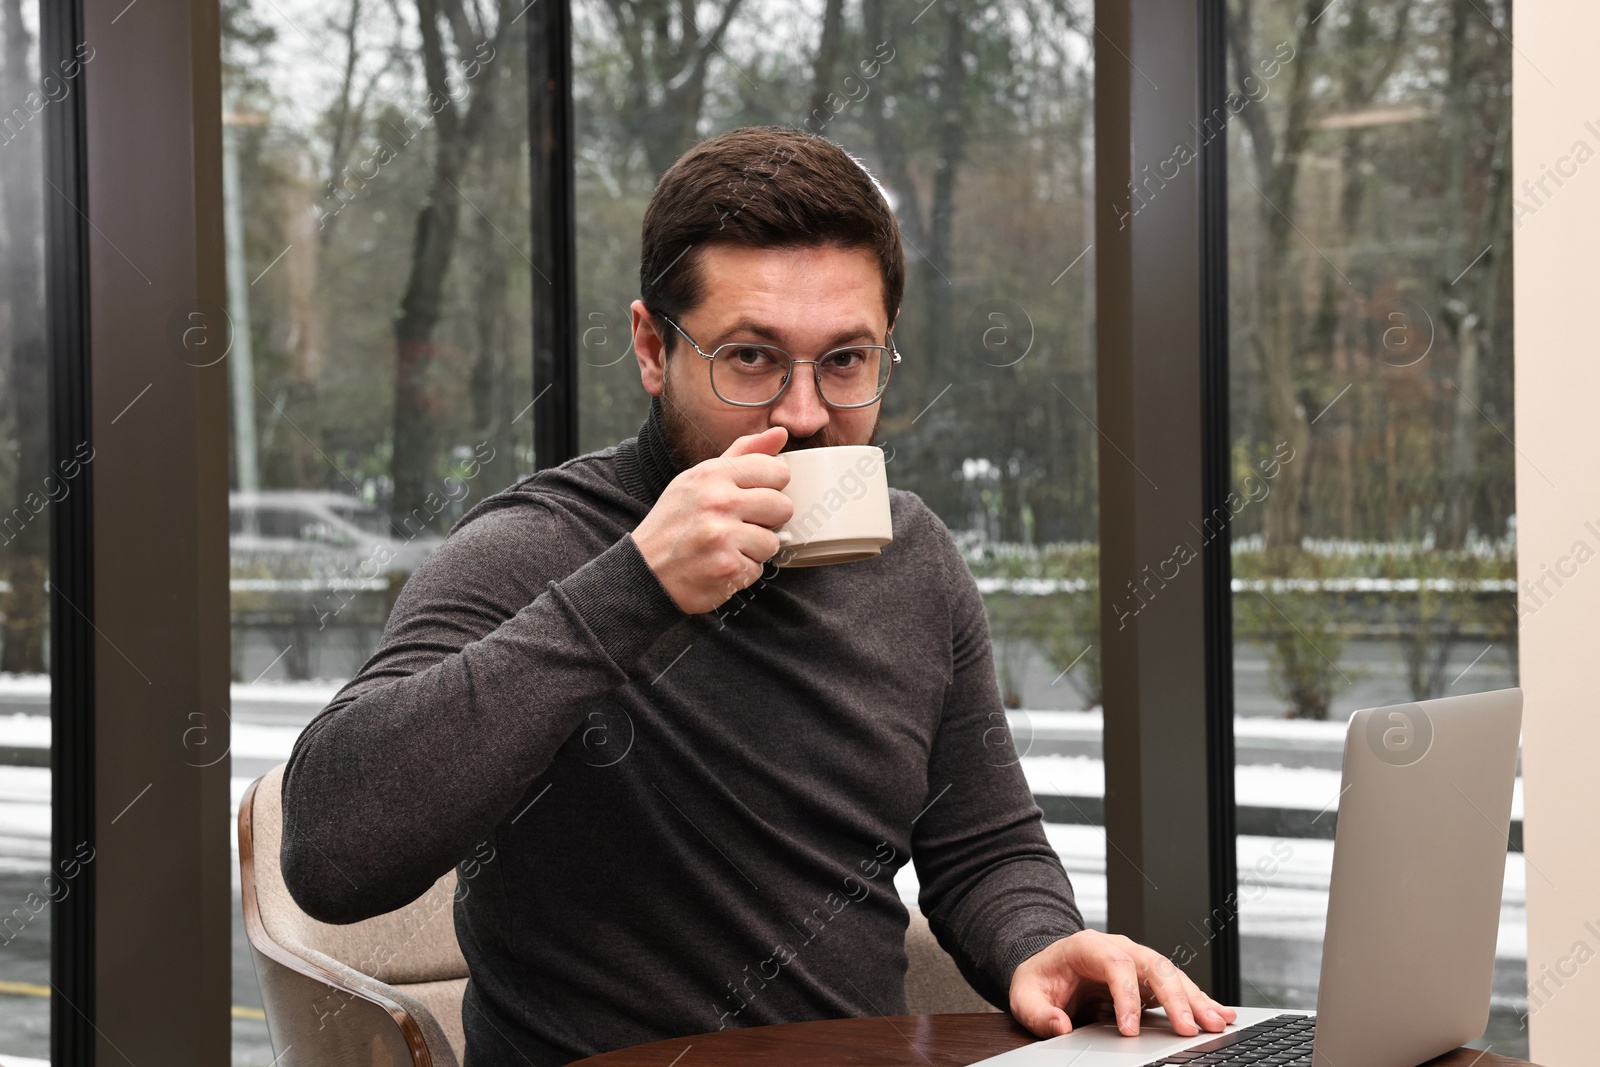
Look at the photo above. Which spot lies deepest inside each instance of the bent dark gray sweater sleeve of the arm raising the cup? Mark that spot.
(479, 681)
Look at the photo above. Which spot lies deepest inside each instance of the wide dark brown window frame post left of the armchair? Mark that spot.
(142, 946)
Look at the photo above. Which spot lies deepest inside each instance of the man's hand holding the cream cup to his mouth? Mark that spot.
(713, 530)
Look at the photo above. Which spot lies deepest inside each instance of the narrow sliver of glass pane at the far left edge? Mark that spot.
(28, 490)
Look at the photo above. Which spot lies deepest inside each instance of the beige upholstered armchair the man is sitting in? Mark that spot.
(388, 989)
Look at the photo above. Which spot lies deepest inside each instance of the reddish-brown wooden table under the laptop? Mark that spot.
(882, 1042)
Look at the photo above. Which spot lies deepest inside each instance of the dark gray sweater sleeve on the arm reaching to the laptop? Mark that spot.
(993, 889)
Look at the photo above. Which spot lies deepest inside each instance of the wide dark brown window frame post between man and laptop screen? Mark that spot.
(1162, 370)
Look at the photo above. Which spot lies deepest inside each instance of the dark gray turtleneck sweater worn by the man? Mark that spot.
(663, 823)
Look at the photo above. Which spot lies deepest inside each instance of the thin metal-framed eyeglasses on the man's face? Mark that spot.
(756, 375)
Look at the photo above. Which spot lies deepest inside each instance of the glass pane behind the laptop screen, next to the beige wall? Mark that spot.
(1372, 394)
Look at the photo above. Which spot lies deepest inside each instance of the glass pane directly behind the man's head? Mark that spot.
(978, 122)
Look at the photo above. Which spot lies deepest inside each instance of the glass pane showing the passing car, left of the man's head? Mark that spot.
(382, 382)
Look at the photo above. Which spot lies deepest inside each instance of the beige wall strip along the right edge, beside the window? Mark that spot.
(1558, 262)
